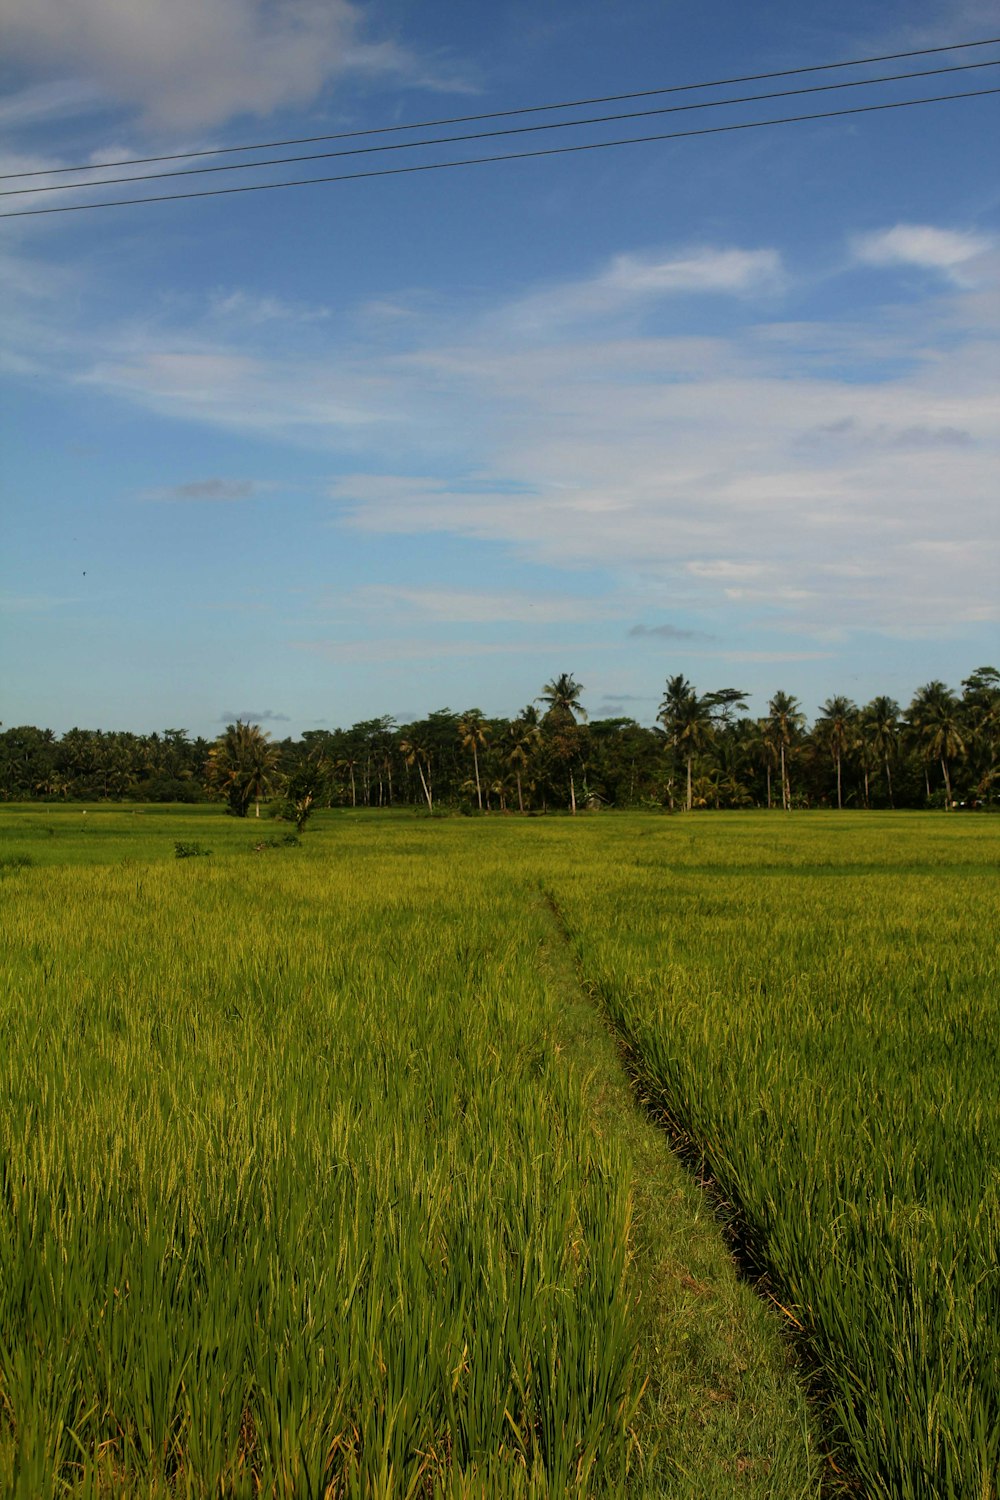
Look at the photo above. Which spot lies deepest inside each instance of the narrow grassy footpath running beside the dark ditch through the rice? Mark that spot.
(723, 1412)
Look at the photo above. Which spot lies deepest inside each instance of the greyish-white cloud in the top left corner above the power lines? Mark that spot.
(193, 64)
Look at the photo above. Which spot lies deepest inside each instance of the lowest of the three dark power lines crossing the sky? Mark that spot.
(506, 157)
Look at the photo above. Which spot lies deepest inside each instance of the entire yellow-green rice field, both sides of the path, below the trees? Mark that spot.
(320, 1174)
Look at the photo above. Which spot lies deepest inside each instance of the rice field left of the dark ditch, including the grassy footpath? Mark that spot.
(320, 1177)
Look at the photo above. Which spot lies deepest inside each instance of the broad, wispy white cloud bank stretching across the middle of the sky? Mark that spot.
(756, 473)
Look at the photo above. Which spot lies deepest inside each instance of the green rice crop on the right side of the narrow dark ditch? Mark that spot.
(816, 1009)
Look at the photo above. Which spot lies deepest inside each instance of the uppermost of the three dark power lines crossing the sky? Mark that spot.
(504, 115)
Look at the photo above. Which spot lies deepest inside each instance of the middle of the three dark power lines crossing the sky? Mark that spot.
(516, 130)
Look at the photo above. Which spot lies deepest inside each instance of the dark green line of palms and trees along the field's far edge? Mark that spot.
(705, 751)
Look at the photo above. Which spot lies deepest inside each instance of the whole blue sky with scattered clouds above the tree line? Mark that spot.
(723, 407)
